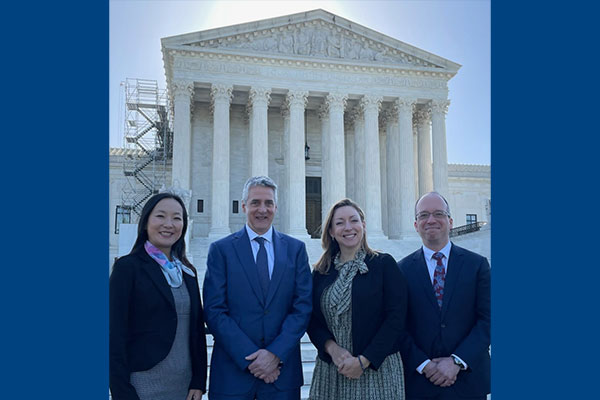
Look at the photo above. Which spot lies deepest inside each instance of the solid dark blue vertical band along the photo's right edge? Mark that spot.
(544, 176)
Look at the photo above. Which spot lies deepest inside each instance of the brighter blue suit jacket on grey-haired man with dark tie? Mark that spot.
(242, 321)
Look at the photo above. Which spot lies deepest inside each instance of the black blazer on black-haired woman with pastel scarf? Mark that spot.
(143, 321)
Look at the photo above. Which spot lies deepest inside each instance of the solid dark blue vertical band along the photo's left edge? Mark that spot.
(55, 200)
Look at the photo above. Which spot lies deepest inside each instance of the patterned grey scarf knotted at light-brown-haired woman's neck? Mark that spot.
(341, 290)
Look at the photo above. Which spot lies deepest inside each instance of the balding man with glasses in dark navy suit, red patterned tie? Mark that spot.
(446, 348)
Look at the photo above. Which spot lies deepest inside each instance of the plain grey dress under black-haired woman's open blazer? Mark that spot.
(170, 378)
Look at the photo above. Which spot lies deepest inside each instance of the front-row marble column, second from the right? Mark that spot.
(407, 171)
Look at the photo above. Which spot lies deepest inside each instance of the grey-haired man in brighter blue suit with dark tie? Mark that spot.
(257, 304)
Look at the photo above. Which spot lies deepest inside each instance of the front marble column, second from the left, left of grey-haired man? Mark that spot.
(221, 96)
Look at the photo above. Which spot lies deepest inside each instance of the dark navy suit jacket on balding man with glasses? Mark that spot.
(461, 327)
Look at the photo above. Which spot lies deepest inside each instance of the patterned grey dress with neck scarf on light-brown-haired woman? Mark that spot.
(387, 383)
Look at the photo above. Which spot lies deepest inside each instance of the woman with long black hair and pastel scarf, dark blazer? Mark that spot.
(156, 337)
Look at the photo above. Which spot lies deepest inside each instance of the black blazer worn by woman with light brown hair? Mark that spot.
(379, 300)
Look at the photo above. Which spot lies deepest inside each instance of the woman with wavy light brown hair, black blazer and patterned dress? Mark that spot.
(359, 308)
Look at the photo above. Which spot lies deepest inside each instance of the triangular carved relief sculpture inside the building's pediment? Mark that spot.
(317, 41)
